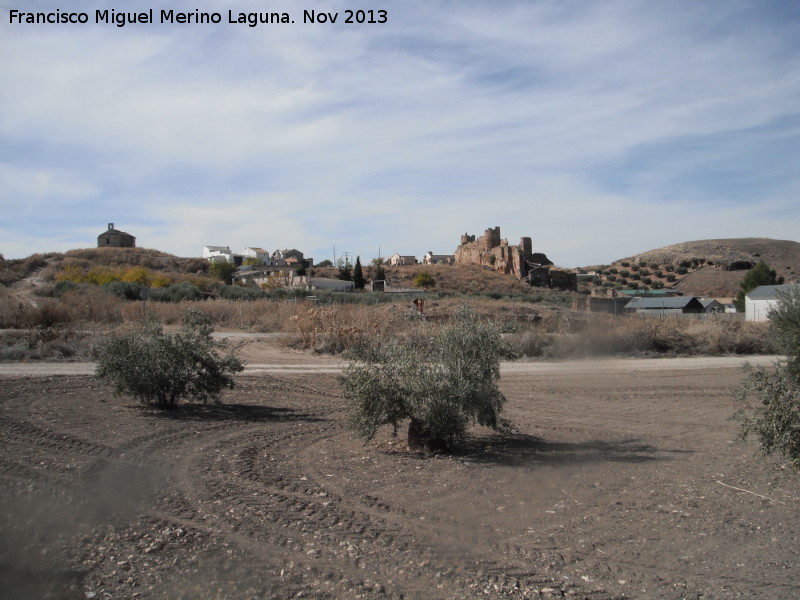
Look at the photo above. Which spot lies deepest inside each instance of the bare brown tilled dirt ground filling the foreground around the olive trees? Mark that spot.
(614, 483)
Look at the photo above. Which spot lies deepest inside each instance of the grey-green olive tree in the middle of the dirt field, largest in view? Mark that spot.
(440, 389)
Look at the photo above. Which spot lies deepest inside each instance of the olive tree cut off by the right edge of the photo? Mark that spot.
(775, 417)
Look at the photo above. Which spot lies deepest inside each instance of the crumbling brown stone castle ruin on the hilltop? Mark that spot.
(492, 251)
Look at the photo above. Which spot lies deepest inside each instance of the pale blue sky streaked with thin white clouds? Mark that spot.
(598, 129)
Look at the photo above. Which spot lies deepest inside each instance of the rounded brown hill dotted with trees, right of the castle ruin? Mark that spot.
(716, 267)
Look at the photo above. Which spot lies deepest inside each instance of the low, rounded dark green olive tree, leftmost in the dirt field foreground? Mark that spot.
(160, 368)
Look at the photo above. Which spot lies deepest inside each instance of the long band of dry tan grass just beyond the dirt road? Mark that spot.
(531, 330)
